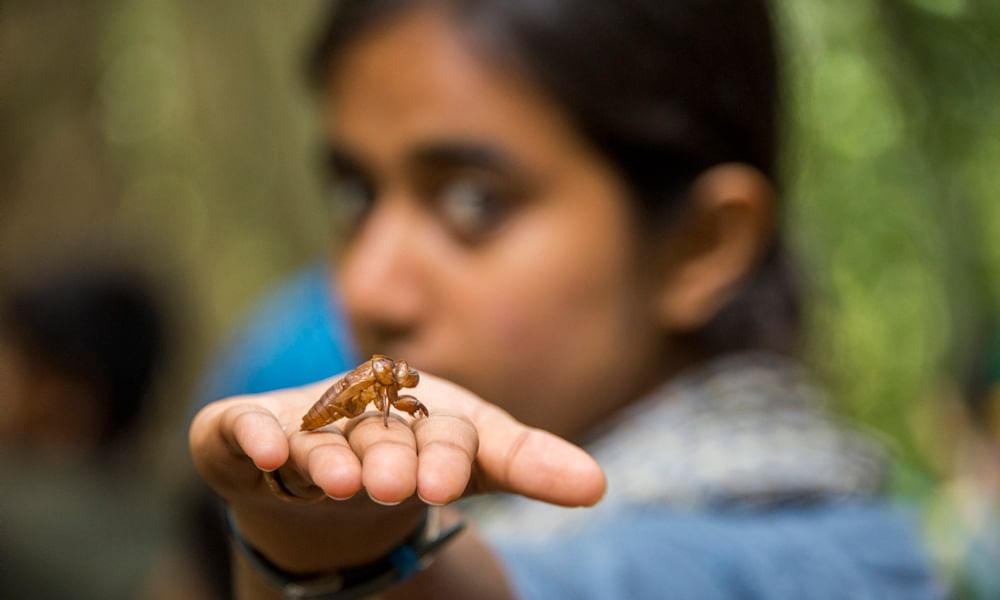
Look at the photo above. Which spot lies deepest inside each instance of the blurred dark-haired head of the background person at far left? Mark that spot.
(80, 348)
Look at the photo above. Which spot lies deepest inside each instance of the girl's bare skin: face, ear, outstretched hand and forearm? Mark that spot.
(550, 301)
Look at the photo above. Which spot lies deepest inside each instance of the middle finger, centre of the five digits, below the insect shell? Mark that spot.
(388, 457)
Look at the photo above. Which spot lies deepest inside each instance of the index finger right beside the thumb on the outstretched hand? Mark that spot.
(447, 444)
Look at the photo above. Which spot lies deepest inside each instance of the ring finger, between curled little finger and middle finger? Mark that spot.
(327, 461)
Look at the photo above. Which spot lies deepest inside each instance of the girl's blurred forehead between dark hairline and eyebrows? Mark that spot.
(415, 80)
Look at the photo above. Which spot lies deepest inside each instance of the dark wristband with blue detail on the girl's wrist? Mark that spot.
(414, 554)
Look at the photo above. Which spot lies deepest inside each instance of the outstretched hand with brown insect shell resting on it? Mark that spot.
(466, 446)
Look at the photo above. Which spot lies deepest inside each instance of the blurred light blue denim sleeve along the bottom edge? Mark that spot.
(831, 552)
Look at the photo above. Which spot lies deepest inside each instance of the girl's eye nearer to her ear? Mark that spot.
(473, 209)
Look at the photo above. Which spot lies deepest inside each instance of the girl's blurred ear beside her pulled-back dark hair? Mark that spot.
(723, 231)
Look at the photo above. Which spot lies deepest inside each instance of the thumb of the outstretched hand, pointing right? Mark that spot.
(531, 462)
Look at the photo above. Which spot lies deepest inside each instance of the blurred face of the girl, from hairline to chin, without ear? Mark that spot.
(489, 243)
